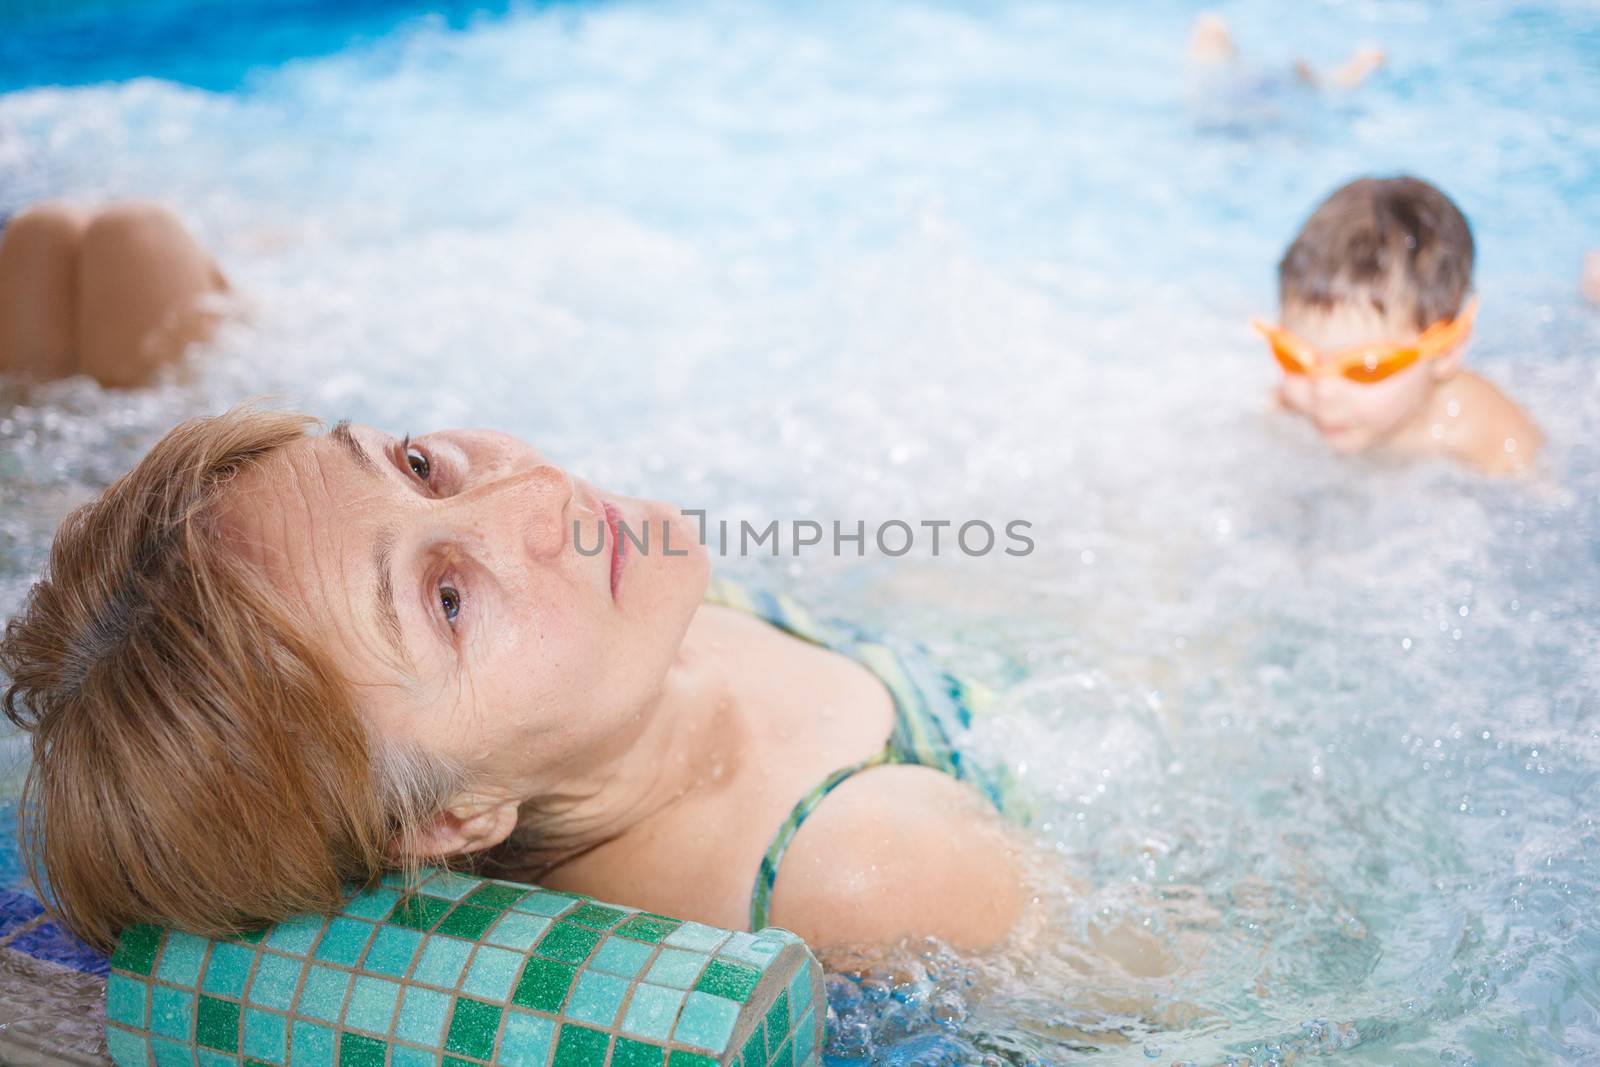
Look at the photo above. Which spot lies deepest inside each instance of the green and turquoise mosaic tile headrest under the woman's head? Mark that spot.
(466, 972)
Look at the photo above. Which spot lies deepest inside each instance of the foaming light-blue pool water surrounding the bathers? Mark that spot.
(1329, 729)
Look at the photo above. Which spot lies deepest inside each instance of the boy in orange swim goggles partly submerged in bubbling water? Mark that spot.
(1375, 314)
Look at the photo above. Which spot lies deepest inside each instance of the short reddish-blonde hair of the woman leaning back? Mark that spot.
(198, 761)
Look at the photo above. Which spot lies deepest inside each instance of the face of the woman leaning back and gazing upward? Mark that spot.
(457, 583)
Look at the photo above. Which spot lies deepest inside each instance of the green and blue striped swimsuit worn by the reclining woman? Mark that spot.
(932, 709)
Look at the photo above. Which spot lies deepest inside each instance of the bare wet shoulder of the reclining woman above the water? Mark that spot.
(902, 852)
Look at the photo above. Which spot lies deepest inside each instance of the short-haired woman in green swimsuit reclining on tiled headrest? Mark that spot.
(268, 663)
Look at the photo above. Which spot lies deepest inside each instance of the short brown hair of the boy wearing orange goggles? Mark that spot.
(1396, 244)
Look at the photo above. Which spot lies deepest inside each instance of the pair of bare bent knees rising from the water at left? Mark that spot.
(114, 294)
